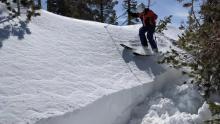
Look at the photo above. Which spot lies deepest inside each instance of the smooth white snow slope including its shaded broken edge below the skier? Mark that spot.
(58, 70)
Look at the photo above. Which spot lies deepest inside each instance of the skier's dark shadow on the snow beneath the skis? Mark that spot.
(144, 63)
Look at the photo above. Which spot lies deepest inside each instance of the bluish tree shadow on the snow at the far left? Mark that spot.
(19, 30)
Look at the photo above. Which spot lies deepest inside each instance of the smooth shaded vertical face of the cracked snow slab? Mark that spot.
(115, 108)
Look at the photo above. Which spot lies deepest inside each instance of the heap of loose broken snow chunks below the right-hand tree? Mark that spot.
(172, 107)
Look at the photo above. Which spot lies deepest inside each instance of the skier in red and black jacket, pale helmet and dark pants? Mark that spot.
(148, 18)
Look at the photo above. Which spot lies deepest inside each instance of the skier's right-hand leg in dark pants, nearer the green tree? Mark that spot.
(150, 37)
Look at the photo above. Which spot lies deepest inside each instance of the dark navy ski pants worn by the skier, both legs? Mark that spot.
(150, 33)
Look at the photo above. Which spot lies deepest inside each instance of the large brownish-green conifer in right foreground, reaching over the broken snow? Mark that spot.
(201, 42)
